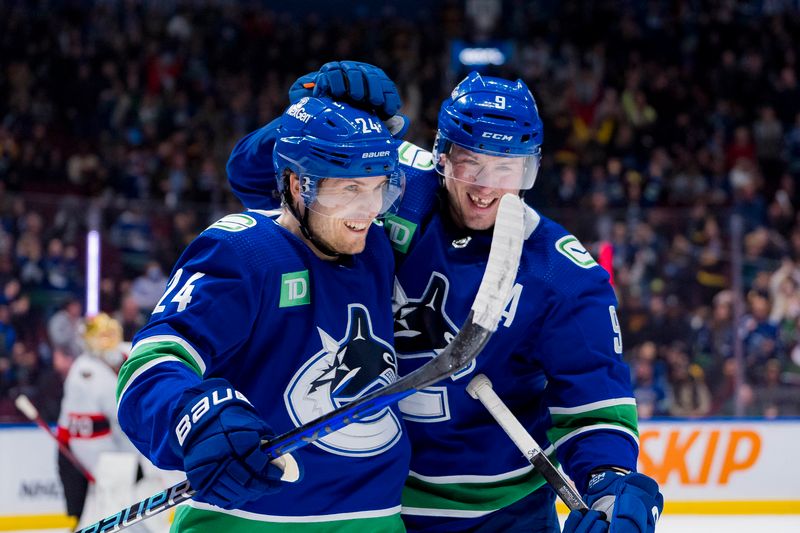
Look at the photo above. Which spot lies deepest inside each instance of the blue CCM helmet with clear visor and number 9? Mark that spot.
(494, 117)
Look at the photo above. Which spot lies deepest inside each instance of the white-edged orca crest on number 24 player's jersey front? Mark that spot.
(341, 372)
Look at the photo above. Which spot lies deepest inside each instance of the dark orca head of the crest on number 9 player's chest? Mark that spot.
(422, 327)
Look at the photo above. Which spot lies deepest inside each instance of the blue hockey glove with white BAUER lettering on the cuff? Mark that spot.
(218, 433)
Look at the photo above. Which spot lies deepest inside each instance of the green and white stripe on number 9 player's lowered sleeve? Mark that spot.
(618, 414)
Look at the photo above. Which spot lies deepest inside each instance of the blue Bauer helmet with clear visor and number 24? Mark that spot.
(320, 139)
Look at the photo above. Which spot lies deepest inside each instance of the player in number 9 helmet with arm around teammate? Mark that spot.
(556, 358)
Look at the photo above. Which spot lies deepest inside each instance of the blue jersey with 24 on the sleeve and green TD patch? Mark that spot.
(249, 302)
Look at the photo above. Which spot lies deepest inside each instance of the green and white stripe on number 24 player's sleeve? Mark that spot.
(152, 351)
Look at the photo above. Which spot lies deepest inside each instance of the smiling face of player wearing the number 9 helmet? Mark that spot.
(475, 183)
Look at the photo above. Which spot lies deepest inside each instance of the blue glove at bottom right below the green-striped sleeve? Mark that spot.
(630, 502)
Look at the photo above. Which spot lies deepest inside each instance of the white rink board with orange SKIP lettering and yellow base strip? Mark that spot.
(722, 466)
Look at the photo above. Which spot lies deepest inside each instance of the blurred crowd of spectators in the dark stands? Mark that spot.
(671, 128)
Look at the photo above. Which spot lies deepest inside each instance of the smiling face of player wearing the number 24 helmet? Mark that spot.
(344, 210)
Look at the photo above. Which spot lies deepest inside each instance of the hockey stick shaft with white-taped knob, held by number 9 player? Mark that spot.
(481, 389)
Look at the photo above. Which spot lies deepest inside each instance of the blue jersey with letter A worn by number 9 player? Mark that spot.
(556, 359)
